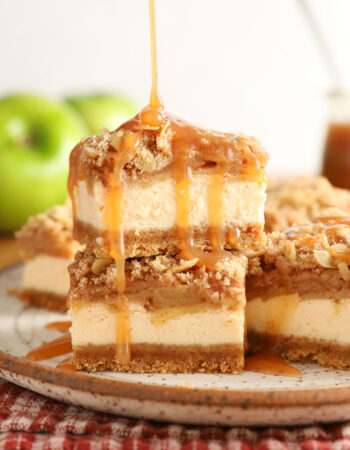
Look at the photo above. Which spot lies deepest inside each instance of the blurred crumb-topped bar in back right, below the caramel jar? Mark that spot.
(295, 200)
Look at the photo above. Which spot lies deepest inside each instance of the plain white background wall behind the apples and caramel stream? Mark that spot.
(234, 65)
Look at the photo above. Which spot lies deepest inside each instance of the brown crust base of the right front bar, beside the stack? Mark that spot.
(302, 349)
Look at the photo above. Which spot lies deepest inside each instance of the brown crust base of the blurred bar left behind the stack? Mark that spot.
(41, 299)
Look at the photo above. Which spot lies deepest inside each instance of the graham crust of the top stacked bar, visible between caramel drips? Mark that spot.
(161, 242)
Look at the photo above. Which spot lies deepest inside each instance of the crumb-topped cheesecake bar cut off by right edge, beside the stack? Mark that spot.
(298, 293)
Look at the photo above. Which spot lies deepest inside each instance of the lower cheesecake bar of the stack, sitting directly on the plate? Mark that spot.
(174, 315)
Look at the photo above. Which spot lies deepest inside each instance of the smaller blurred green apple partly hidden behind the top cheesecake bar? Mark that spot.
(99, 111)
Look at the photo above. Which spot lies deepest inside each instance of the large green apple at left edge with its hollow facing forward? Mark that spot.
(36, 137)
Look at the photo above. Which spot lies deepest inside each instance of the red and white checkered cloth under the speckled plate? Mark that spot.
(31, 421)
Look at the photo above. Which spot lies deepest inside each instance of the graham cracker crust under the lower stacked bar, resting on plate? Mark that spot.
(157, 358)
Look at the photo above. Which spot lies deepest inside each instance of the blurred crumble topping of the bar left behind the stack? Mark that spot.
(49, 233)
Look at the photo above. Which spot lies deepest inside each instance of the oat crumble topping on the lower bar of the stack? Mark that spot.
(93, 273)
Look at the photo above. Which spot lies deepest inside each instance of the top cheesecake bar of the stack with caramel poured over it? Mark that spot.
(172, 182)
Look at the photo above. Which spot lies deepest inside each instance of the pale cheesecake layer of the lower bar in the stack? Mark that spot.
(95, 324)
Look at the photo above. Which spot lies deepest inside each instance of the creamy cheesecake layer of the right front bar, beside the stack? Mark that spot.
(289, 315)
